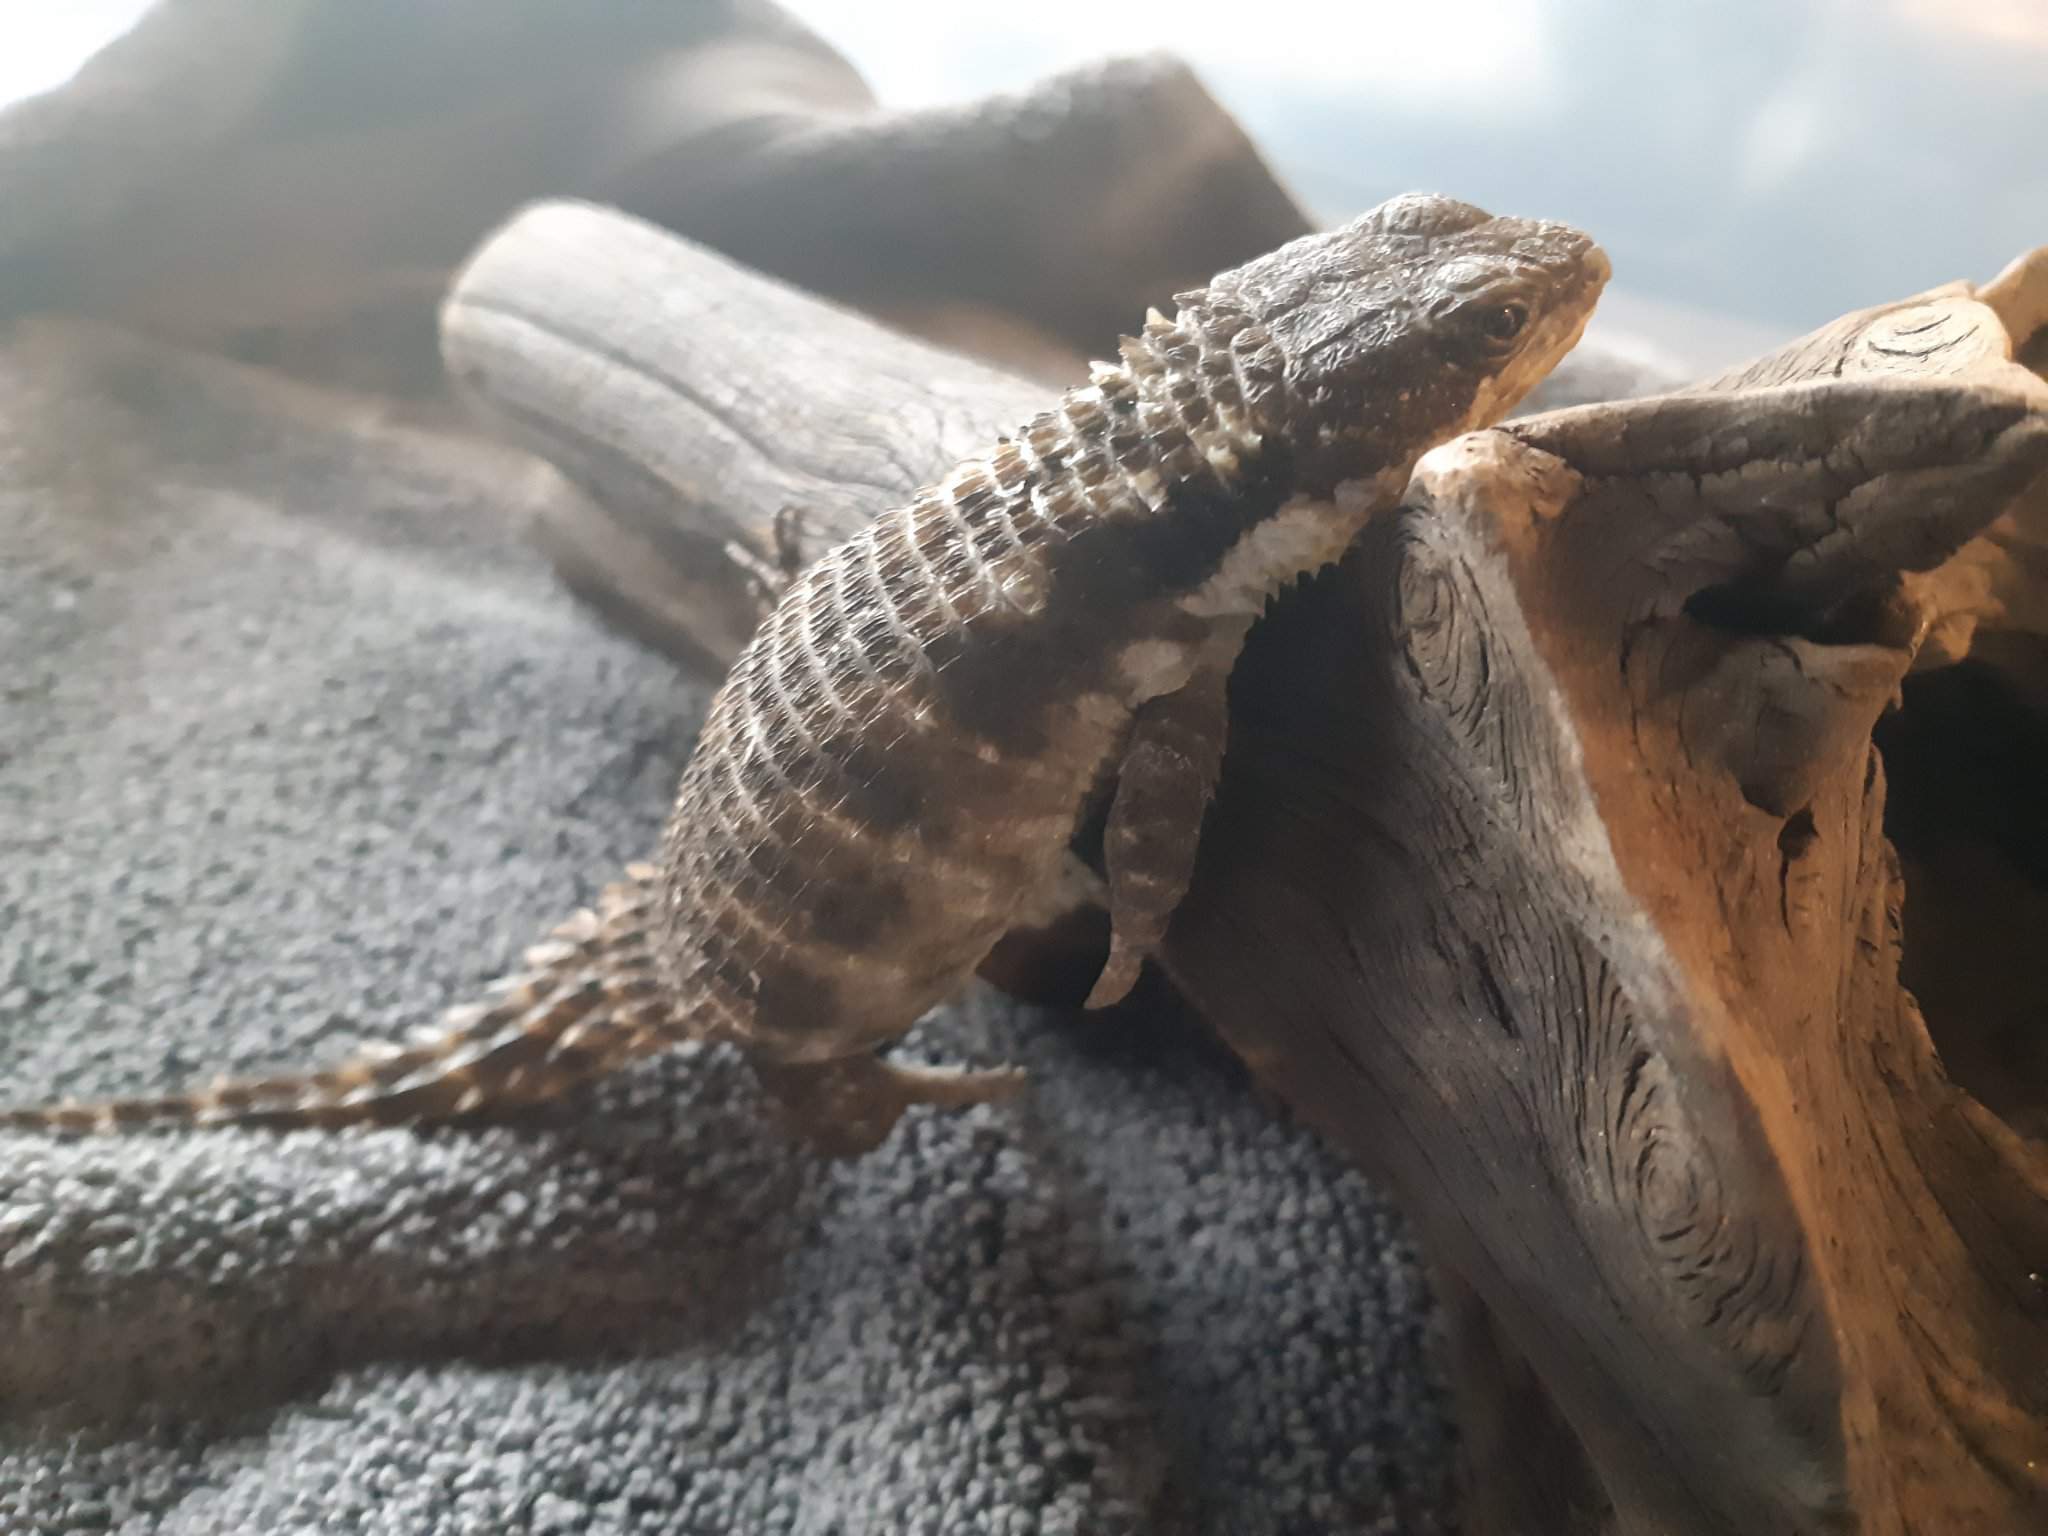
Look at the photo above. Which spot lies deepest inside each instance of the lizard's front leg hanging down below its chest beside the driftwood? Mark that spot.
(1156, 822)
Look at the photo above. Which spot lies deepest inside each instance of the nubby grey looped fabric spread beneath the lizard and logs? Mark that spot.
(298, 744)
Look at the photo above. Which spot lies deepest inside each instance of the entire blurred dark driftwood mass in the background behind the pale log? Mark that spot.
(187, 181)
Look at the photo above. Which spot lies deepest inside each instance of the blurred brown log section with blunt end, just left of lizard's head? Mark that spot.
(1064, 206)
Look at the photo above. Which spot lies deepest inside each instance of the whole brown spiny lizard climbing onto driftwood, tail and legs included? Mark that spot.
(896, 767)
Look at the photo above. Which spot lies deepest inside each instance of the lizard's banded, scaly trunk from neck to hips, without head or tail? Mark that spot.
(896, 765)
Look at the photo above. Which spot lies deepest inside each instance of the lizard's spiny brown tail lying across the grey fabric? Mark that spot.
(587, 1000)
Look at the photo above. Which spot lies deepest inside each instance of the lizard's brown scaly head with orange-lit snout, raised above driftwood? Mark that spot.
(1408, 327)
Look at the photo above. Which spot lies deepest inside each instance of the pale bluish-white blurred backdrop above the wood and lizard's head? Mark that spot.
(1754, 167)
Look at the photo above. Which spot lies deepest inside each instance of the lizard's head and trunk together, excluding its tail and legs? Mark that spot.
(896, 767)
